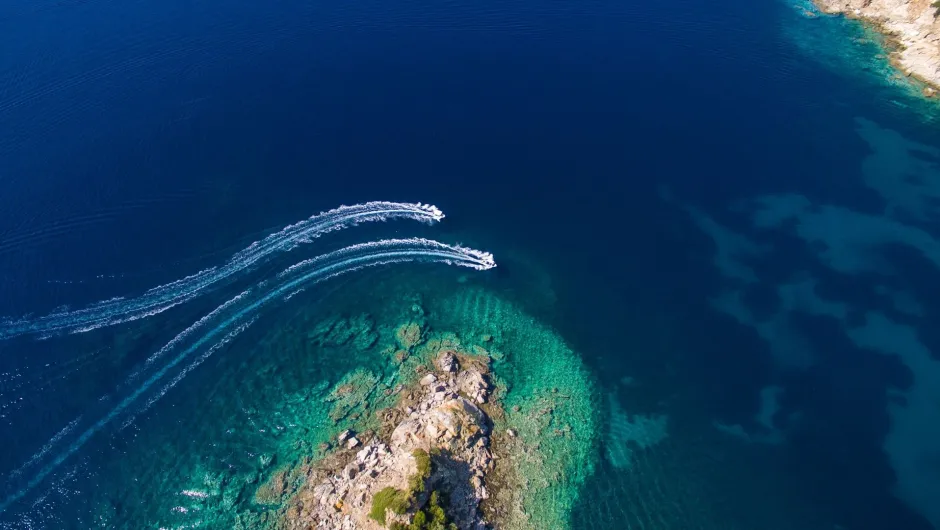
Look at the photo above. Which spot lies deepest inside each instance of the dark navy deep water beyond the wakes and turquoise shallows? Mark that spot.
(143, 141)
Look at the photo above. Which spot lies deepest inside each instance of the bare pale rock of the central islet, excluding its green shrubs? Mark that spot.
(440, 418)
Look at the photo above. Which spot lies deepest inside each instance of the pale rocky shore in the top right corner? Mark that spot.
(912, 24)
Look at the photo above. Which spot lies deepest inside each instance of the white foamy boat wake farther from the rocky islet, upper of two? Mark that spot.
(163, 297)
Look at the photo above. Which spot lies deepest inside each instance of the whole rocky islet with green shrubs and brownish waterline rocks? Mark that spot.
(428, 462)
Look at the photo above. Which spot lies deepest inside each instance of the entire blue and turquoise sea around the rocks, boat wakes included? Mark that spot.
(717, 222)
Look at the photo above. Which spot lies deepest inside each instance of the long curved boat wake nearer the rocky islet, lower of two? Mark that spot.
(220, 326)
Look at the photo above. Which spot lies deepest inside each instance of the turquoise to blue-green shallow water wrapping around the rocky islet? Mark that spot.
(266, 405)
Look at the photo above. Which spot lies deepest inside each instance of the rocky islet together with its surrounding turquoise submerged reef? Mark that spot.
(464, 432)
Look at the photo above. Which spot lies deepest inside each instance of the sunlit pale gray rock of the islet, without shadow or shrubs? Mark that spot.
(440, 418)
